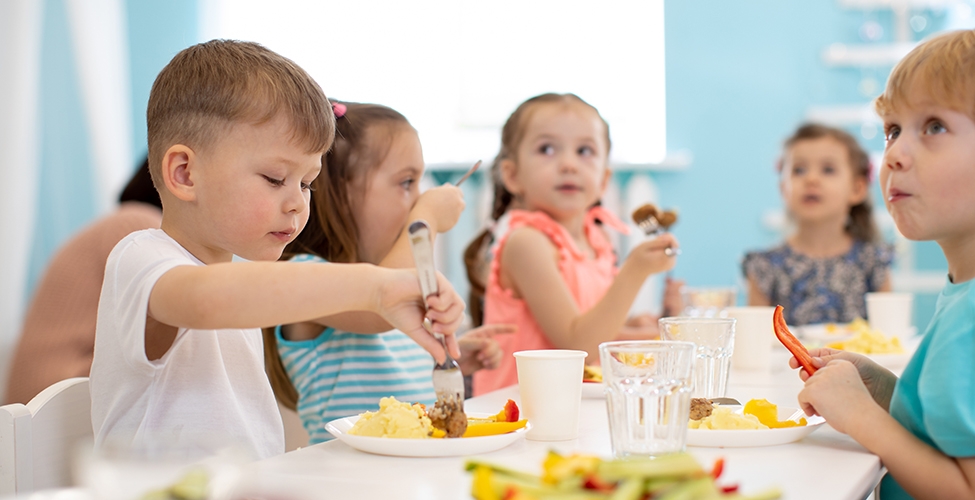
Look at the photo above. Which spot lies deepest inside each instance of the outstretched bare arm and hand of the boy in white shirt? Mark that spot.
(258, 294)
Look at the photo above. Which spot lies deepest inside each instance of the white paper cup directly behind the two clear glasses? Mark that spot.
(754, 337)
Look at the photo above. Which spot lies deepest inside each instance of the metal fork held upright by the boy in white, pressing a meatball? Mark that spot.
(448, 382)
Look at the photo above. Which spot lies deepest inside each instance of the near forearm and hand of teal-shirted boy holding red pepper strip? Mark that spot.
(837, 393)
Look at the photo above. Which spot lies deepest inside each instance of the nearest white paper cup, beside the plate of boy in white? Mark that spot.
(550, 382)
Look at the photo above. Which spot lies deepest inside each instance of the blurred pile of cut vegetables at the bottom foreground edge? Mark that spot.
(580, 476)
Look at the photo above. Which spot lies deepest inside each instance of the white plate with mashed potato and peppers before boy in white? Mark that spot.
(405, 430)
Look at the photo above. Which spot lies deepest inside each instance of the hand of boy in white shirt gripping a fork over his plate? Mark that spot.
(401, 304)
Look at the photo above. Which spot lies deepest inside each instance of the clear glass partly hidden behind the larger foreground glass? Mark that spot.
(715, 341)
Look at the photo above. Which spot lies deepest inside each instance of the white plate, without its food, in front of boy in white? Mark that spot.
(422, 447)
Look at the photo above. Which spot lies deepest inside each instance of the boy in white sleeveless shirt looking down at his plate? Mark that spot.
(236, 135)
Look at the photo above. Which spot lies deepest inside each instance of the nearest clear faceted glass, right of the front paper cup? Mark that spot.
(648, 395)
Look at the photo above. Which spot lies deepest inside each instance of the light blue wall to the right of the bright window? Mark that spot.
(740, 78)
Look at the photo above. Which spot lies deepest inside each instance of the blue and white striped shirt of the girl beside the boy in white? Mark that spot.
(339, 374)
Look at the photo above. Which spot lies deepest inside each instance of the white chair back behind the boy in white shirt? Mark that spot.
(38, 440)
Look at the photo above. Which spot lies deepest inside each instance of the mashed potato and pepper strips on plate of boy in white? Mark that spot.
(397, 419)
